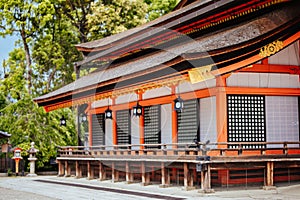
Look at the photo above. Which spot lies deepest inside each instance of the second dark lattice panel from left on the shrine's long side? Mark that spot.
(123, 127)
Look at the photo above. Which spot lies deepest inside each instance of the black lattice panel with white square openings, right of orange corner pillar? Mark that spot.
(246, 120)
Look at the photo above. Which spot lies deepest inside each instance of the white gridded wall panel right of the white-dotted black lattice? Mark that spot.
(282, 119)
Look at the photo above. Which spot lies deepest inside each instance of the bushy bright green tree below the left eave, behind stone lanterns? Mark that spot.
(27, 122)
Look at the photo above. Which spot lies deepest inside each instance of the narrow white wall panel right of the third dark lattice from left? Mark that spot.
(166, 124)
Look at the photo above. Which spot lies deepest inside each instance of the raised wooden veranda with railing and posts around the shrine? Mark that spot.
(189, 164)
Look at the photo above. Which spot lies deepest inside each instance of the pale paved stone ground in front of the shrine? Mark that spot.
(52, 187)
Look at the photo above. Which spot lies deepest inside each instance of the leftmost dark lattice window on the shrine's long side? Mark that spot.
(98, 130)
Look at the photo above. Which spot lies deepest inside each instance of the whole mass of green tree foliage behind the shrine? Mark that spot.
(44, 56)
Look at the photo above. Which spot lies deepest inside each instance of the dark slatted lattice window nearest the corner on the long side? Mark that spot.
(188, 122)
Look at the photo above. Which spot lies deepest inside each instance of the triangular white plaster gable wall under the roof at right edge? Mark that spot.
(287, 56)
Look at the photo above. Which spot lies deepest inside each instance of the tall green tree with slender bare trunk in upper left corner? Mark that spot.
(24, 18)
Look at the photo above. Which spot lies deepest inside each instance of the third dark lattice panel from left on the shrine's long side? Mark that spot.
(152, 124)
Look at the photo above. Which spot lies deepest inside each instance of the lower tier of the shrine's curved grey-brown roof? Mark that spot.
(216, 44)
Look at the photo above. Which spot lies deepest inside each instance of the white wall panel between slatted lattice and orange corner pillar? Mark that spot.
(208, 126)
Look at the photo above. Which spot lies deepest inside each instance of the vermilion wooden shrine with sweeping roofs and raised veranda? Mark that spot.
(233, 66)
